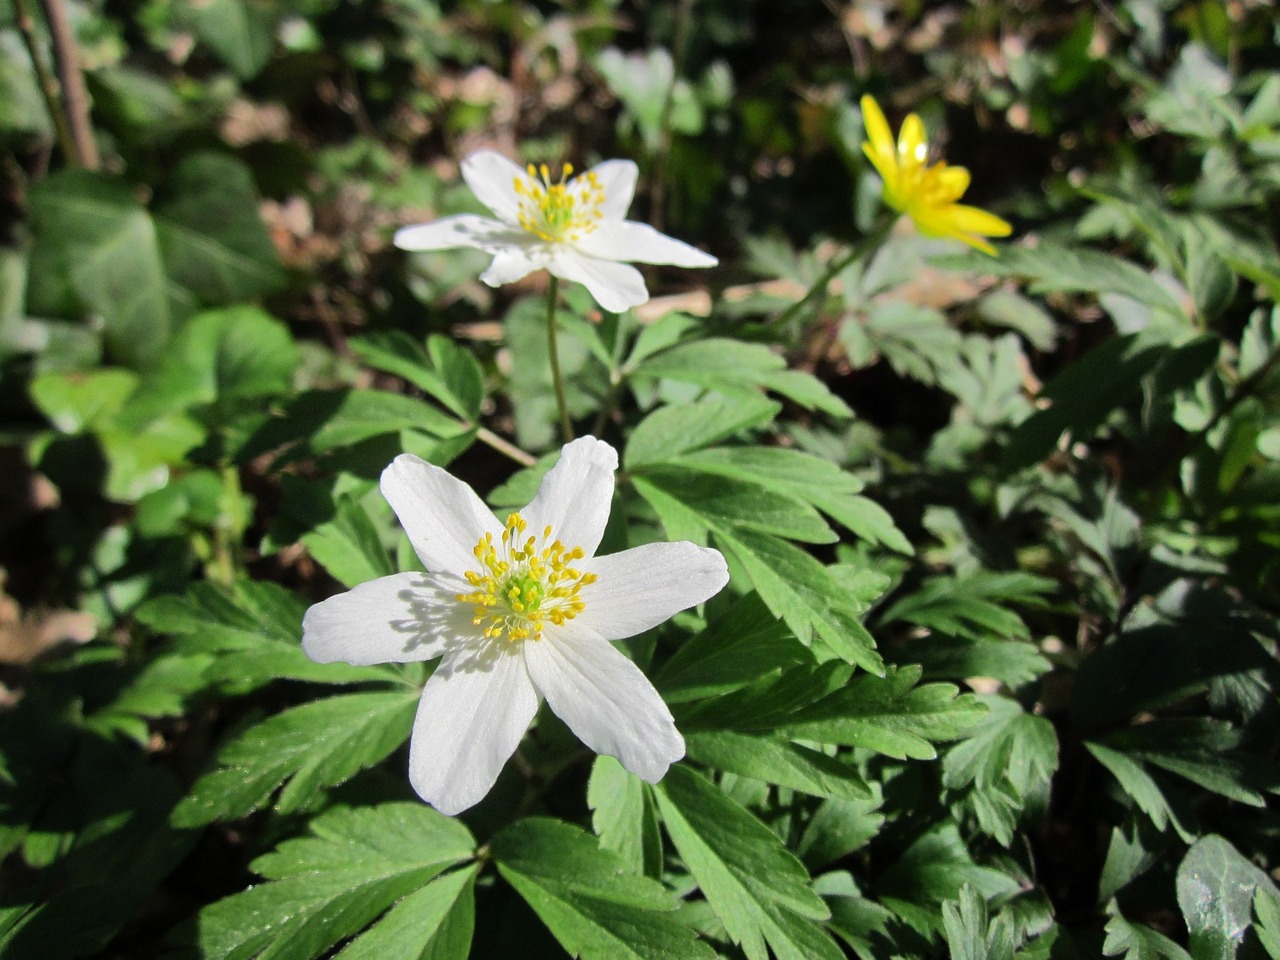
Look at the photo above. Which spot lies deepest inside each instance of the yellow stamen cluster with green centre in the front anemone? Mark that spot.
(525, 583)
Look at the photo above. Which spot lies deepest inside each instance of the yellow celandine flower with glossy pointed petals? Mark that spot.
(926, 193)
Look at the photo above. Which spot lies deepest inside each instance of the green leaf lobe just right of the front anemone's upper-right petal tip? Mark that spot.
(683, 428)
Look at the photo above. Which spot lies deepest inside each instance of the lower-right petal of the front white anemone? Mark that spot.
(605, 700)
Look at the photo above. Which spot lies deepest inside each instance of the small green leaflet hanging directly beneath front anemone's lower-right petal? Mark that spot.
(624, 816)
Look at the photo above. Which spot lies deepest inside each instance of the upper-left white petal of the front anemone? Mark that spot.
(442, 515)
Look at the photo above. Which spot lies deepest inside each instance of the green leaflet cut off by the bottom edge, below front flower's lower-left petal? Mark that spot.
(433, 924)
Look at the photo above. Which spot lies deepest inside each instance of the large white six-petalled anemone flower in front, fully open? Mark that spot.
(518, 612)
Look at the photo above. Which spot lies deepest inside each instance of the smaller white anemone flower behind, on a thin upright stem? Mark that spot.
(574, 228)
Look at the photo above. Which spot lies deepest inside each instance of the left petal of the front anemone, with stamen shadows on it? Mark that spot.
(392, 620)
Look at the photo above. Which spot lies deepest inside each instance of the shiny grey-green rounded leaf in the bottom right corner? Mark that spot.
(1215, 892)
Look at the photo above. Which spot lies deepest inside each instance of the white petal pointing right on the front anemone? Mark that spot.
(641, 588)
